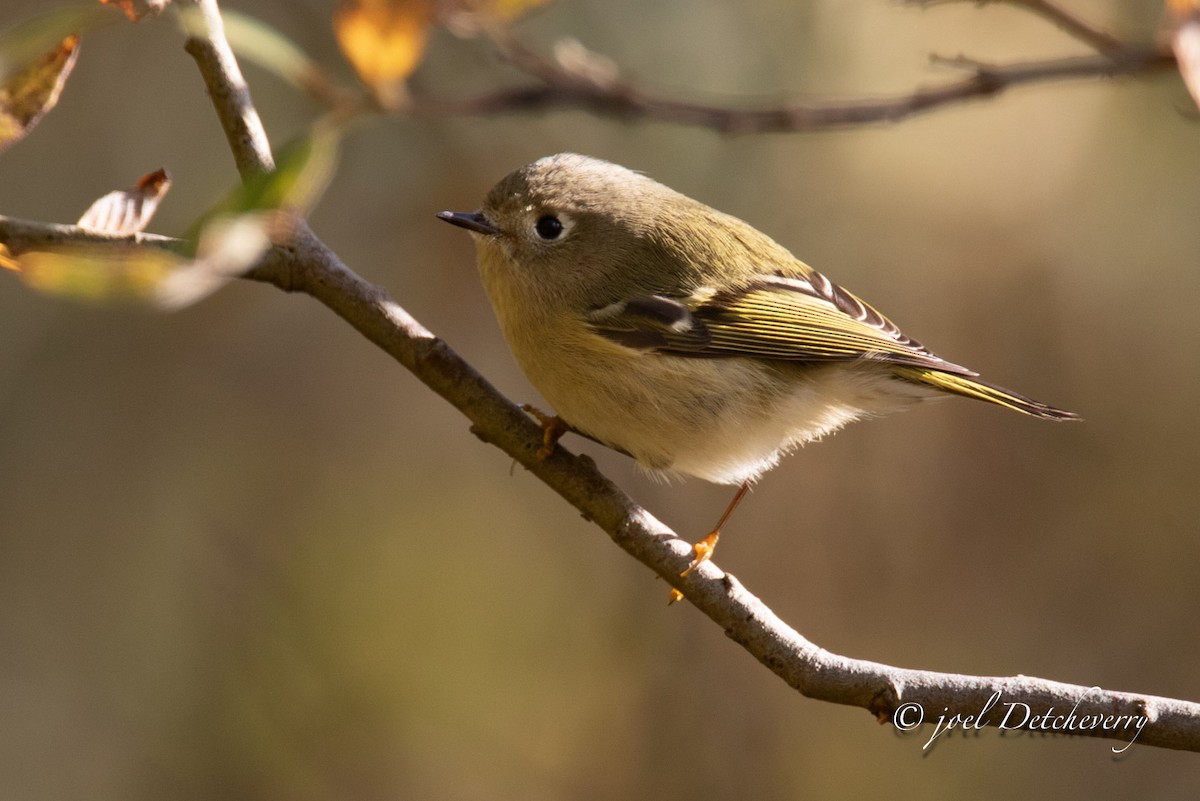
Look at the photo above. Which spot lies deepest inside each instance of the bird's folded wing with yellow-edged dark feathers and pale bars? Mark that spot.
(805, 318)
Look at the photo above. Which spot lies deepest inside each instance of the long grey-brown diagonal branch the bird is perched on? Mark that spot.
(309, 267)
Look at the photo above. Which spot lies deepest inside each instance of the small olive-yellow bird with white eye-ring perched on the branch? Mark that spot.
(683, 336)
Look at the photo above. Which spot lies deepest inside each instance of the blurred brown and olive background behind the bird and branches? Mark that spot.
(243, 555)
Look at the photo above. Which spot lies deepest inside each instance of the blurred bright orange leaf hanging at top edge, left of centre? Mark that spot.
(385, 40)
